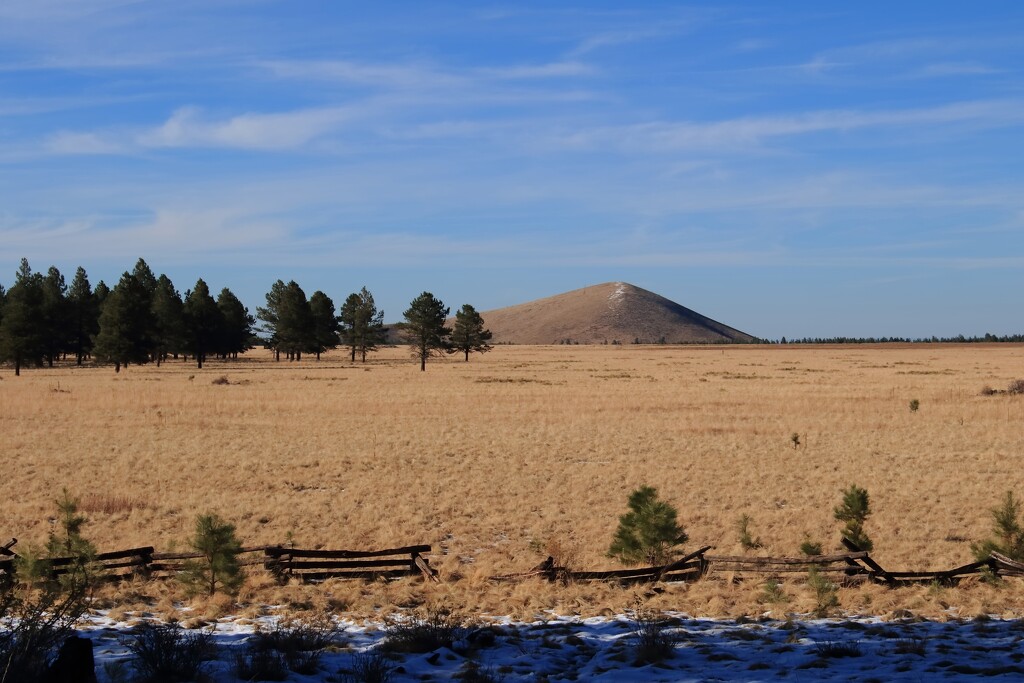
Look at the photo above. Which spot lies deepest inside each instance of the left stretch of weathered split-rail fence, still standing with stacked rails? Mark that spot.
(285, 563)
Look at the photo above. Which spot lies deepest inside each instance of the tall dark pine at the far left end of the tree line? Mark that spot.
(21, 329)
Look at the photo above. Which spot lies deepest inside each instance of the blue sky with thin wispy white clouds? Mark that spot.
(789, 168)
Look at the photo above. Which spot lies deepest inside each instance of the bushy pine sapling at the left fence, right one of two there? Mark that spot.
(219, 569)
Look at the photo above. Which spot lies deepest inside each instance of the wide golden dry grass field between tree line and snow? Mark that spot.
(526, 449)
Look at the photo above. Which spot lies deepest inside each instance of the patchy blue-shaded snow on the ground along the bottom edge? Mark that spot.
(863, 650)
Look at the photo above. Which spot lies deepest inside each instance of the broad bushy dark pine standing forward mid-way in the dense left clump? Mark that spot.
(125, 325)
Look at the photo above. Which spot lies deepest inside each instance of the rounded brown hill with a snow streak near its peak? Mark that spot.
(613, 312)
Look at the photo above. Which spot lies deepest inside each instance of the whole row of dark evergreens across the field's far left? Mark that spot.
(144, 319)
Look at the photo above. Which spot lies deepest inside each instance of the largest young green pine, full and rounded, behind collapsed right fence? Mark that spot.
(650, 532)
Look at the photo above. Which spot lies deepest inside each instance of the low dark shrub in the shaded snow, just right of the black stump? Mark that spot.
(167, 654)
